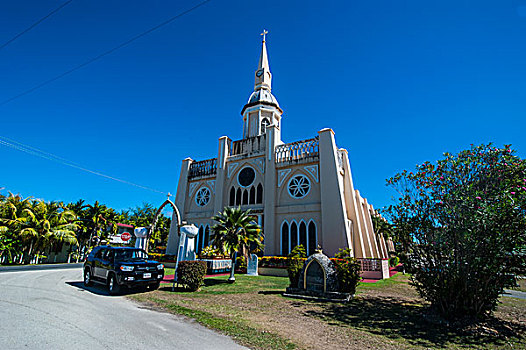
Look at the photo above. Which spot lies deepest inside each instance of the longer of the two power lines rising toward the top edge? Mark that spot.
(96, 58)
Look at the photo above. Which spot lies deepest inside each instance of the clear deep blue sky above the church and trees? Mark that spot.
(400, 82)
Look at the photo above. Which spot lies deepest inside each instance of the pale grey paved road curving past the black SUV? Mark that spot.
(51, 309)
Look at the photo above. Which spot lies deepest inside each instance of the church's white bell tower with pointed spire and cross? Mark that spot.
(262, 108)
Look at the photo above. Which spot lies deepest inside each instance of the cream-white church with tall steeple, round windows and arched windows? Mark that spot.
(300, 192)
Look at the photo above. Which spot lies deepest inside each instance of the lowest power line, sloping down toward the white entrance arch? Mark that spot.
(50, 156)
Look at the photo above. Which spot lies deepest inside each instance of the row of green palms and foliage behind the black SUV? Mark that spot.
(30, 229)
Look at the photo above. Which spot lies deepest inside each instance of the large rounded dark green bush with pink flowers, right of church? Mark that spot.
(462, 221)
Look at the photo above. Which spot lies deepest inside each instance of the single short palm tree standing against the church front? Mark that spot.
(236, 230)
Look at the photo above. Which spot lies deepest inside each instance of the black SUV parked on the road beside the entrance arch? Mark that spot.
(122, 266)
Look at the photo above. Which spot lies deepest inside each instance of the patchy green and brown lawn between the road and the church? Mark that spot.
(388, 315)
